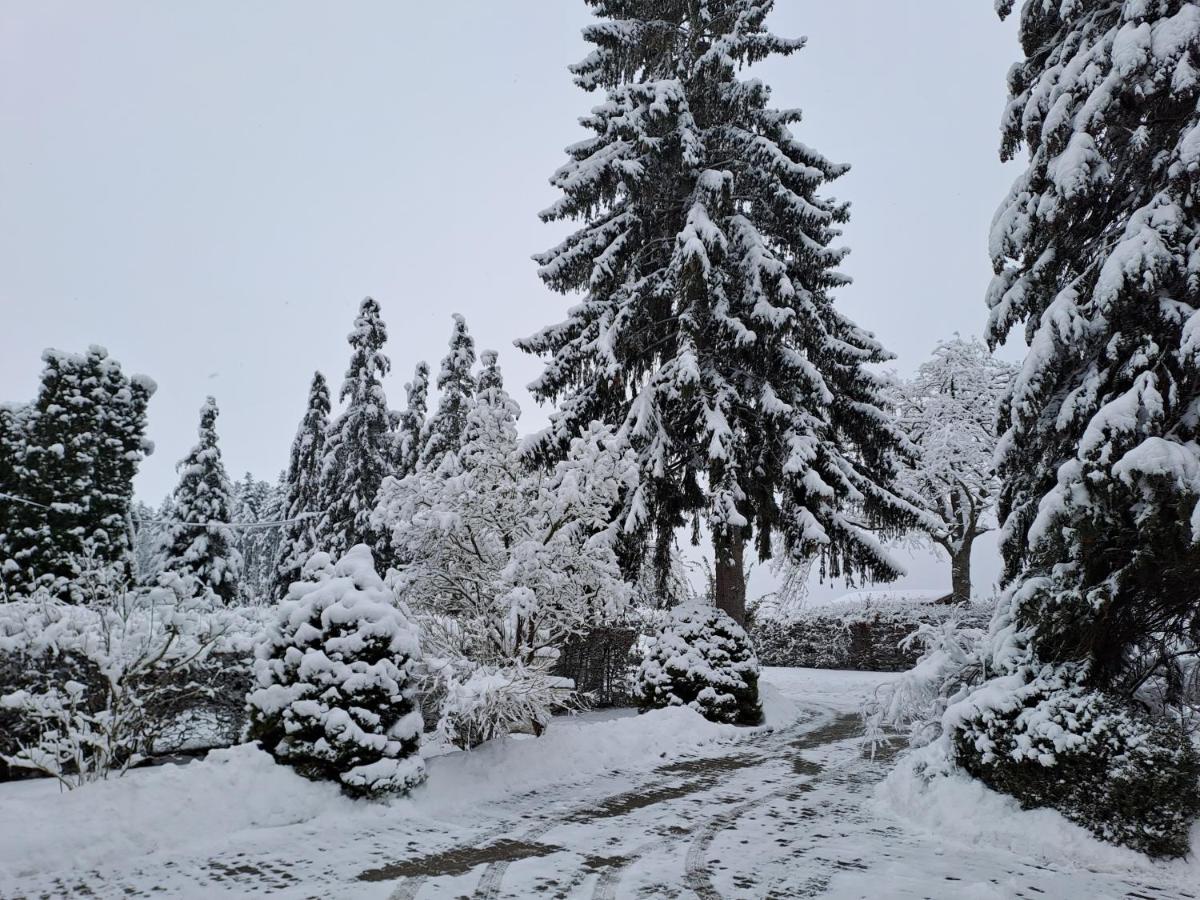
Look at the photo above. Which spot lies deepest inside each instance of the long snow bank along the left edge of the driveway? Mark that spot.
(183, 811)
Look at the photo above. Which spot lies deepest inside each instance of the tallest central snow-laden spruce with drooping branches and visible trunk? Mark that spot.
(707, 328)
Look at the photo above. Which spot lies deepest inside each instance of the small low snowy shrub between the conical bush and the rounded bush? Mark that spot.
(493, 703)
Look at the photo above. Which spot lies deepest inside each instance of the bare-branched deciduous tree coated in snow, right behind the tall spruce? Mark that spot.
(950, 412)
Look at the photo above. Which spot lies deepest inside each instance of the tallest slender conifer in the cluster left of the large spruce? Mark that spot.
(358, 443)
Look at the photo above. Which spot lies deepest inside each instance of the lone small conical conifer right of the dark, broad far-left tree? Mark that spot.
(200, 542)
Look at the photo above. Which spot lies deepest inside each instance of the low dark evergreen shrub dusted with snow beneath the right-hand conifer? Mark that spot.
(1127, 778)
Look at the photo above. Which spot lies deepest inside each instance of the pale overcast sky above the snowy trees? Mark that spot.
(209, 190)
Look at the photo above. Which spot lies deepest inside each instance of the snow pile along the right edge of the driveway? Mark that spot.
(959, 811)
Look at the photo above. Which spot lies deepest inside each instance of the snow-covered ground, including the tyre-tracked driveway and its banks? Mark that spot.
(603, 806)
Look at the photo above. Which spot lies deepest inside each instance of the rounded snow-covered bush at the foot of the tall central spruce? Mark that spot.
(701, 659)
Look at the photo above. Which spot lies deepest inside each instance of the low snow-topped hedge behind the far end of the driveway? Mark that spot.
(860, 633)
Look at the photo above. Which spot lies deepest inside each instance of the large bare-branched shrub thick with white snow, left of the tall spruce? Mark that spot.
(505, 566)
